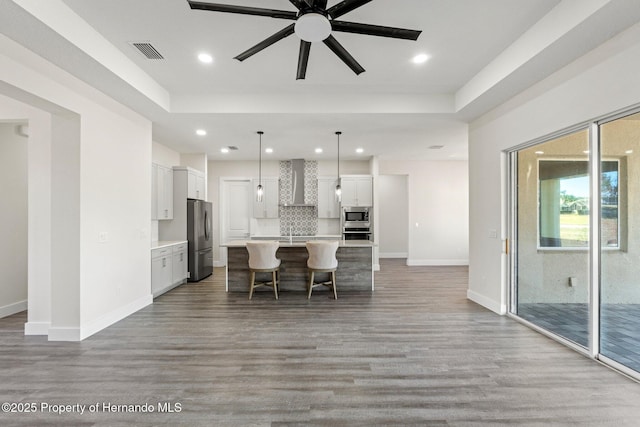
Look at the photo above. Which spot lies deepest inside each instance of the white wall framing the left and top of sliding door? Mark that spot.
(603, 81)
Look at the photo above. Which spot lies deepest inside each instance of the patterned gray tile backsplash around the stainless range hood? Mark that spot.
(300, 220)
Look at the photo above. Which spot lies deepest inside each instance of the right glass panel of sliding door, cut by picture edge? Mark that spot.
(620, 231)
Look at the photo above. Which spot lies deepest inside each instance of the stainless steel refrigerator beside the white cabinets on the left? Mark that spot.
(200, 239)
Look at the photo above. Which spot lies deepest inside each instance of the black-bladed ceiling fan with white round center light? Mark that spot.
(314, 22)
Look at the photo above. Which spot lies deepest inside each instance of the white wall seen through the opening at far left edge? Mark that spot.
(13, 217)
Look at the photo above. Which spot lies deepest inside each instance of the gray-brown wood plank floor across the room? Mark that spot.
(416, 352)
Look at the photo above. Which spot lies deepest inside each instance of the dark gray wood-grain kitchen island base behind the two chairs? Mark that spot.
(355, 266)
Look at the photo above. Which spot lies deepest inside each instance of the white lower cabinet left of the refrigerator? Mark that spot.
(169, 265)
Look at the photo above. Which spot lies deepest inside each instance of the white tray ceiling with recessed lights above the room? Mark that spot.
(482, 52)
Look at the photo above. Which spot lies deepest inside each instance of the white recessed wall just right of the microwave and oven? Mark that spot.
(393, 216)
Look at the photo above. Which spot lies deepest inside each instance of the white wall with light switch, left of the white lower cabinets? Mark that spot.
(115, 198)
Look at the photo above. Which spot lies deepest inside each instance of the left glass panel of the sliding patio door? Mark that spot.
(552, 246)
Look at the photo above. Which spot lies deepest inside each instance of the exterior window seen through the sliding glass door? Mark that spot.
(564, 203)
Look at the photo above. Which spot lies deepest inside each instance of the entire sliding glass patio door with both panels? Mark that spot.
(575, 233)
